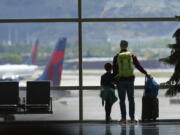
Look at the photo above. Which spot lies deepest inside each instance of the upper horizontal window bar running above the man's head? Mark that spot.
(79, 19)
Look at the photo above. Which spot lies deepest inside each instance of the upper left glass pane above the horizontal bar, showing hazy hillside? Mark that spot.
(11, 9)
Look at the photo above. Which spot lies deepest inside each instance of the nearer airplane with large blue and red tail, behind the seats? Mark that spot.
(54, 68)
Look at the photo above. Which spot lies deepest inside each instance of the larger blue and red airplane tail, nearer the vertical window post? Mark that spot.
(54, 66)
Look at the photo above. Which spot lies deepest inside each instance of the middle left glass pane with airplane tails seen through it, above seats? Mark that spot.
(17, 41)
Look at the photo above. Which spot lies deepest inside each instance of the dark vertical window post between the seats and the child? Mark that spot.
(80, 61)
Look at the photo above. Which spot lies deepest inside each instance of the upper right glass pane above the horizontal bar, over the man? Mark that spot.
(130, 8)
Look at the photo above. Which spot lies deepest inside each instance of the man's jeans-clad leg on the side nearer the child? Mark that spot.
(122, 97)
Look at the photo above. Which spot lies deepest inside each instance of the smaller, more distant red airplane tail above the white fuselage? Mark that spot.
(33, 58)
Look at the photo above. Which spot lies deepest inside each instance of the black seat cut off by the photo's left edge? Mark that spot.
(9, 97)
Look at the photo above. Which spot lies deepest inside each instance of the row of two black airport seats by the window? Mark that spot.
(37, 98)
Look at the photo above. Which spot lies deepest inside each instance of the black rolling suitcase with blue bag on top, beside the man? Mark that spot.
(150, 102)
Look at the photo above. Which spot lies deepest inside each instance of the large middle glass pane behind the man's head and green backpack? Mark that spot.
(148, 40)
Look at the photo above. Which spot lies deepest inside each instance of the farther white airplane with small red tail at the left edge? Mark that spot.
(10, 72)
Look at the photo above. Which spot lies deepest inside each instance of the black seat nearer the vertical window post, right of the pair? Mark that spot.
(38, 98)
